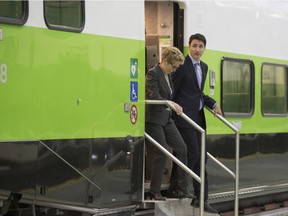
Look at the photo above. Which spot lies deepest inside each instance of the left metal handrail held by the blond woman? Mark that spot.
(202, 167)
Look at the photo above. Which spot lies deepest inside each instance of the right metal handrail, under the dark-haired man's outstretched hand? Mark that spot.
(237, 150)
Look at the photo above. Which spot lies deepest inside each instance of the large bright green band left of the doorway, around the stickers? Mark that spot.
(67, 85)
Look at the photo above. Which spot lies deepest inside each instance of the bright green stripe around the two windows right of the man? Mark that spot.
(256, 123)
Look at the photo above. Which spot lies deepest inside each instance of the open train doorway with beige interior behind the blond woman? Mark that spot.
(164, 21)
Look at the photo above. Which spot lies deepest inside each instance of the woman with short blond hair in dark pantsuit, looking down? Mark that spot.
(159, 123)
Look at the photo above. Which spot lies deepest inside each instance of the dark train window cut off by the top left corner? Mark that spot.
(14, 12)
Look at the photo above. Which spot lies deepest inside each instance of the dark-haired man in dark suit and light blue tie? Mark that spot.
(188, 81)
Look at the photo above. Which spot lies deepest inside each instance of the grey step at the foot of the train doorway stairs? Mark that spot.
(177, 207)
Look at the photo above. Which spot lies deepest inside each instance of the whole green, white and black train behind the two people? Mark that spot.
(85, 150)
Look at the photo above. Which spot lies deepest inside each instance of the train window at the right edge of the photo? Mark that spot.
(274, 89)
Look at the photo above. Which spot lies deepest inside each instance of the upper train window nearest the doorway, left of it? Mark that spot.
(64, 15)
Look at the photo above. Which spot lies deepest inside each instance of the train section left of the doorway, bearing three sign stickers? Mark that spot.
(72, 104)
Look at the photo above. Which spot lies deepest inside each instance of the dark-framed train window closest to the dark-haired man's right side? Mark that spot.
(237, 87)
